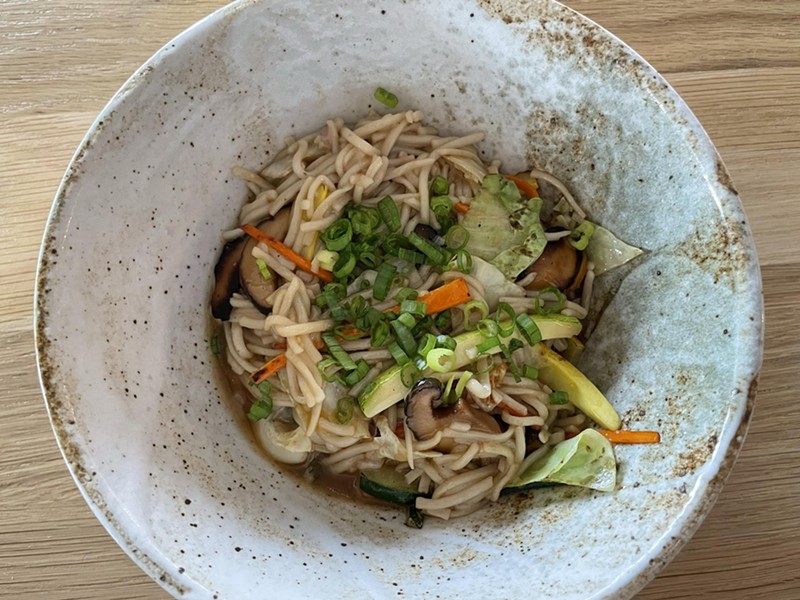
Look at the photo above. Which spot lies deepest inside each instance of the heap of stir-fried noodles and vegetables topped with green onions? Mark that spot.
(451, 435)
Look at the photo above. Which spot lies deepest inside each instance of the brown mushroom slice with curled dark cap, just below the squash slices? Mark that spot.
(425, 414)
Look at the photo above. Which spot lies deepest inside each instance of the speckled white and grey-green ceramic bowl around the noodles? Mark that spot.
(125, 274)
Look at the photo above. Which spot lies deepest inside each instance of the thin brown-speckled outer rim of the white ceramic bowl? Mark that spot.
(639, 573)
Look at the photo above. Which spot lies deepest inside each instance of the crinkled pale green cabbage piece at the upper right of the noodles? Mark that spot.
(504, 228)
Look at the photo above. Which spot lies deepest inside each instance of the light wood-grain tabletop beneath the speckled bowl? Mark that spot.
(736, 63)
